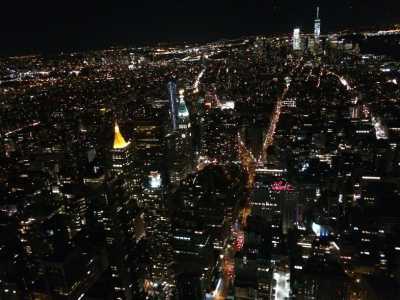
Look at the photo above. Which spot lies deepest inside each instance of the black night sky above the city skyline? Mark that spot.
(34, 26)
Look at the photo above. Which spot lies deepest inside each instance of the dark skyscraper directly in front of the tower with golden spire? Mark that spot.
(114, 214)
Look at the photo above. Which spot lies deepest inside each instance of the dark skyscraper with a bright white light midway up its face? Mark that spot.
(150, 129)
